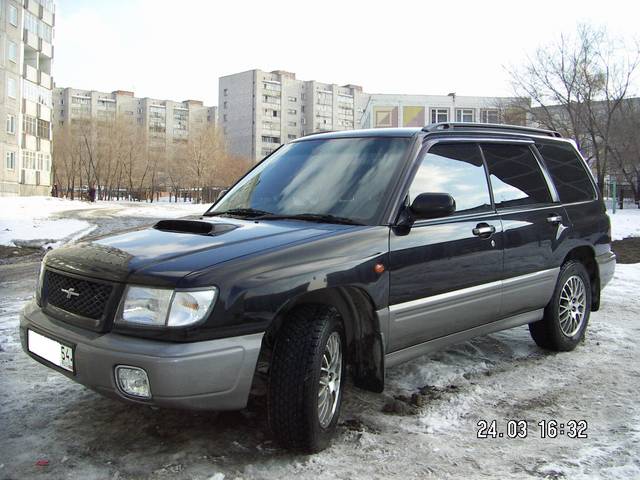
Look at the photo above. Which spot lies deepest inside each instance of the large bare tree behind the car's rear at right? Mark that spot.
(577, 86)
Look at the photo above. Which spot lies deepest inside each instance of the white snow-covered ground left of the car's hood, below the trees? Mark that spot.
(41, 222)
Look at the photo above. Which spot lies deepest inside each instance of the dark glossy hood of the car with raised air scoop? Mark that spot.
(129, 255)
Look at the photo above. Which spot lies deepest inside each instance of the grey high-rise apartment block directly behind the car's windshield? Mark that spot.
(259, 111)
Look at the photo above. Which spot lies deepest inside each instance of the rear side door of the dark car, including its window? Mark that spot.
(533, 221)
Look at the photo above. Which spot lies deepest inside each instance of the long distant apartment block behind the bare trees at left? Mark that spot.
(165, 122)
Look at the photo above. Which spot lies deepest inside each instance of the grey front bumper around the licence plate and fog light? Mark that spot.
(207, 375)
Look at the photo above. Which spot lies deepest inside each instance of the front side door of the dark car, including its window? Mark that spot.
(445, 273)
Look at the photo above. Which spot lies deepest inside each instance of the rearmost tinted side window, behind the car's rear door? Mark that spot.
(567, 172)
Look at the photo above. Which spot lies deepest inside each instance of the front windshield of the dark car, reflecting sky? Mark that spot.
(344, 177)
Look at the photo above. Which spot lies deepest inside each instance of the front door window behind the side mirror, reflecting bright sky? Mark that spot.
(455, 169)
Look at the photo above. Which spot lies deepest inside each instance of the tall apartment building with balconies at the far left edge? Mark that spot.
(26, 40)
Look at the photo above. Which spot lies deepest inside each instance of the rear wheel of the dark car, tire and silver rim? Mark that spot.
(567, 315)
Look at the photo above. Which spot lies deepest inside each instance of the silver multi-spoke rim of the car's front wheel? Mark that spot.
(330, 378)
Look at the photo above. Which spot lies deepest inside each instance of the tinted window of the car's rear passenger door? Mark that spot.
(516, 178)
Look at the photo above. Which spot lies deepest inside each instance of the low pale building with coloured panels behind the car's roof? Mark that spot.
(391, 110)
